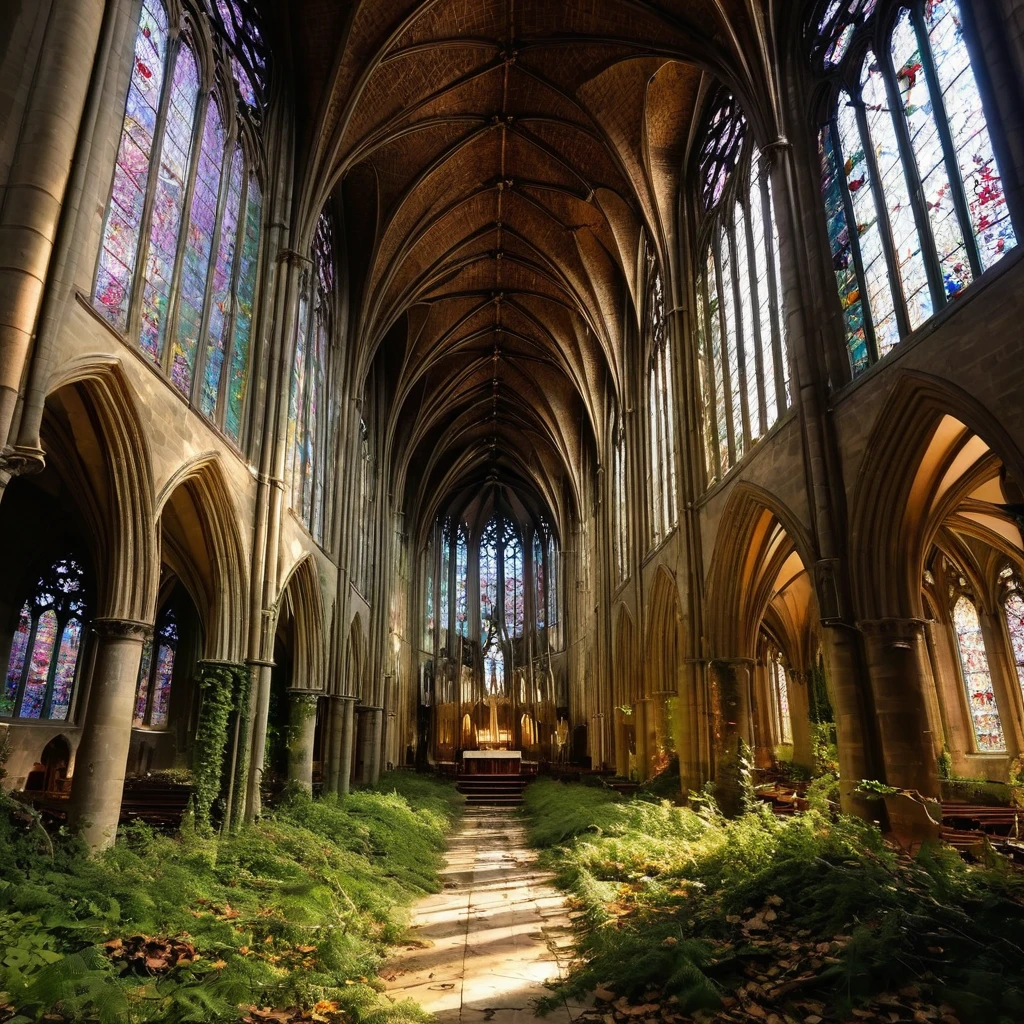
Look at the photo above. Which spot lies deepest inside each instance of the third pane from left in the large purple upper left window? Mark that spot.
(196, 269)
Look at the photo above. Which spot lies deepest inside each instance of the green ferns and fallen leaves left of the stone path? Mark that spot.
(295, 914)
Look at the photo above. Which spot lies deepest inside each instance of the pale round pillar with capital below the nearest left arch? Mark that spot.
(103, 755)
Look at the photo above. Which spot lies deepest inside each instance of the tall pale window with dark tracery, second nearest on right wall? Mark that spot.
(744, 374)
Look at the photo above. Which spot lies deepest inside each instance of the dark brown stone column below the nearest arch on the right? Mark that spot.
(897, 660)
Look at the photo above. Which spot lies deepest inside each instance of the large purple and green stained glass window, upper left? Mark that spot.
(178, 271)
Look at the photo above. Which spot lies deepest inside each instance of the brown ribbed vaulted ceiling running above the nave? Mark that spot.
(498, 164)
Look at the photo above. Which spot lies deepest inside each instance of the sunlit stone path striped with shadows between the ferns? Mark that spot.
(493, 937)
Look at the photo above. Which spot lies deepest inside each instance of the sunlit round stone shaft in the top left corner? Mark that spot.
(37, 183)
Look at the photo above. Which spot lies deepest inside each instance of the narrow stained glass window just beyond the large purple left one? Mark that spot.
(308, 416)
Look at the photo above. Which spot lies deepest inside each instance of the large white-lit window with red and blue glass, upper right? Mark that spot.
(915, 203)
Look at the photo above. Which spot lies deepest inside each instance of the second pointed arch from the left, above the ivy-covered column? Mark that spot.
(198, 522)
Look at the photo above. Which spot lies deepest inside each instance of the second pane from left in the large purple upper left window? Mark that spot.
(165, 227)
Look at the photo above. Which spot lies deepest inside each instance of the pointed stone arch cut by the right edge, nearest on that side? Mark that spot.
(932, 447)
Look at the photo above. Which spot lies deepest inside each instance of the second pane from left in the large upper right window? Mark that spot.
(859, 181)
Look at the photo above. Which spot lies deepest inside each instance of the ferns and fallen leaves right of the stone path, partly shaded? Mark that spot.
(808, 918)
